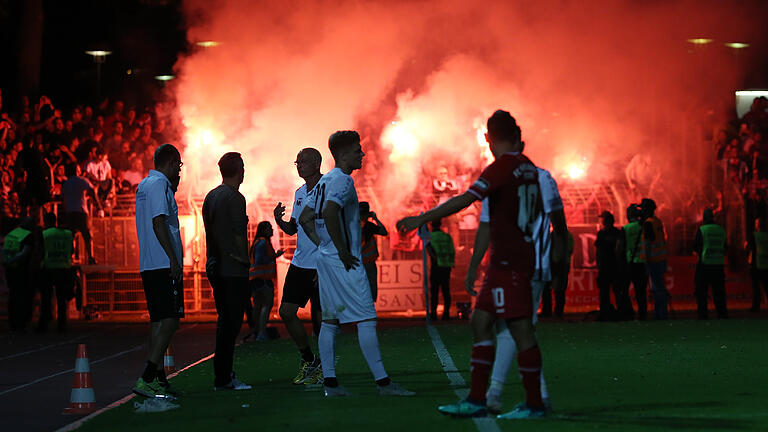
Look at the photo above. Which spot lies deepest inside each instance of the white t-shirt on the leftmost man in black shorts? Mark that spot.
(155, 197)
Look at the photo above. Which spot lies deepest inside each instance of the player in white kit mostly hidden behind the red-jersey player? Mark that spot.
(542, 239)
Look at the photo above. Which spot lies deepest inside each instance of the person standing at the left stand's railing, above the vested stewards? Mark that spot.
(75, 192)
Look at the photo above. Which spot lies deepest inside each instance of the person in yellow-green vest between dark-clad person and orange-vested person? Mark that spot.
(637, 275)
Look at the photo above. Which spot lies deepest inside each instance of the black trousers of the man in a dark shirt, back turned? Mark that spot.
(230, 295)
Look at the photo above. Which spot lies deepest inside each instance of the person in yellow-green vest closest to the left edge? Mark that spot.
(17, 249)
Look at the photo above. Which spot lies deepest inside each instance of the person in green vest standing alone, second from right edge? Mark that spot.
(710, 269)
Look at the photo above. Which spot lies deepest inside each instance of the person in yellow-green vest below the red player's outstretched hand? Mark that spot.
(440, 249)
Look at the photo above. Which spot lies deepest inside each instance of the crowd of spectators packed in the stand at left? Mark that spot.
(111, 145)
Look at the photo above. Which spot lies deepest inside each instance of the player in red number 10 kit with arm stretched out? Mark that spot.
(511, 185)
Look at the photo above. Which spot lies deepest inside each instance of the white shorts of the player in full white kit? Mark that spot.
(344, 295)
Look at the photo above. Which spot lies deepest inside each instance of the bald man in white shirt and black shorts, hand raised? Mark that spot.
(301, 280)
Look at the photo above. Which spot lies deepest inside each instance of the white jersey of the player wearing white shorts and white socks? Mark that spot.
(340, 188)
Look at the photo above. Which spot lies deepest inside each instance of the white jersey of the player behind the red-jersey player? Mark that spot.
(542, 240)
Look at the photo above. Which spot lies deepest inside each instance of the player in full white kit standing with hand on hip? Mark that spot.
(331, 219)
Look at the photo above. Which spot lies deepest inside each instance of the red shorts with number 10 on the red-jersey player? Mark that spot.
(506, 294)
